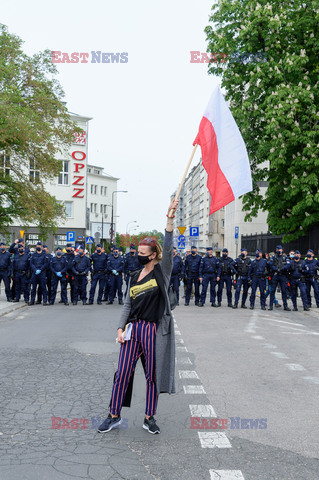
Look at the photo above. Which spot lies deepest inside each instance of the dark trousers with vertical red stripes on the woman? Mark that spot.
(142, 341)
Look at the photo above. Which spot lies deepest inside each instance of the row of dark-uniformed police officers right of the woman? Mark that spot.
(289, 272)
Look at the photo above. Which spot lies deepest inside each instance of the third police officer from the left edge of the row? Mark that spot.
(38, 264)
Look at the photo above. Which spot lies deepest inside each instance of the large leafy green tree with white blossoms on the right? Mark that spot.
(271, 79)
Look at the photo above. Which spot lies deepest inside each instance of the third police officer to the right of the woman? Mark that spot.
(209, 274)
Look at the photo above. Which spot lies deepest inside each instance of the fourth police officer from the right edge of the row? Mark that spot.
(257, 273)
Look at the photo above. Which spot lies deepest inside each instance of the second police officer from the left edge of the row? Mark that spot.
(21, 272)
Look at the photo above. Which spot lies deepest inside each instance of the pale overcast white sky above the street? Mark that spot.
(146, 112)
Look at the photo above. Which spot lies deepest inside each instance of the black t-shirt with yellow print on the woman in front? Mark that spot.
(145, 298)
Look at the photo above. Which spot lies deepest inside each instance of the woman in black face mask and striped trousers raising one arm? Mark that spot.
(147, 308)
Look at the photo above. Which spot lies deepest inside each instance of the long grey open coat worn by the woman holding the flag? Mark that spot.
(165, 339)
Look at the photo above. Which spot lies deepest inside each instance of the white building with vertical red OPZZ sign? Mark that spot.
(84, 190)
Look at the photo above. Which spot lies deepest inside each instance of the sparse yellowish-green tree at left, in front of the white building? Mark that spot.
(34, 128)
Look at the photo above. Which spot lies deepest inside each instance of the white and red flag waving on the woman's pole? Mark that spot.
(224, 154)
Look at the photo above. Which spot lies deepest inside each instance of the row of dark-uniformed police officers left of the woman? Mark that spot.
(39, 274)
